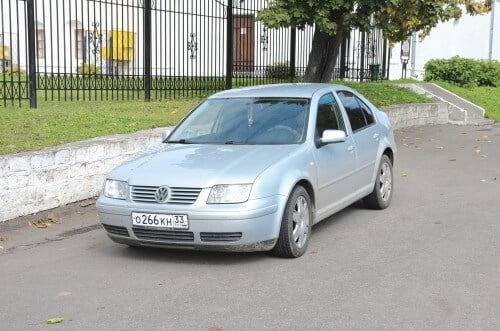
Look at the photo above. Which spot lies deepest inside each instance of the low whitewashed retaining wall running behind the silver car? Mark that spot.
(37, 181)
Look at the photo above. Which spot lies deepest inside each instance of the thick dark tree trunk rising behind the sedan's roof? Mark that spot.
(323, 56)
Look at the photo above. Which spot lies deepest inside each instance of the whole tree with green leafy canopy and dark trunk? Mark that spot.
(333, 19)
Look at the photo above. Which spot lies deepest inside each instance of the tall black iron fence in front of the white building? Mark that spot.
(151, 49)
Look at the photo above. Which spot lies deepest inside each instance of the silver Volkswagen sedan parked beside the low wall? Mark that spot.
(253, 169)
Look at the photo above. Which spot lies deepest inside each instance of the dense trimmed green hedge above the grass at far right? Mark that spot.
(464, 72)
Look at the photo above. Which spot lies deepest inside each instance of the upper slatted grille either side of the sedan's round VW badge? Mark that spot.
(177, 195)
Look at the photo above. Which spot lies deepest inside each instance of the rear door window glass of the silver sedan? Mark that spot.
(359, 114)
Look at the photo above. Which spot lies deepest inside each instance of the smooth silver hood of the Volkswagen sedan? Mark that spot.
(200, 165)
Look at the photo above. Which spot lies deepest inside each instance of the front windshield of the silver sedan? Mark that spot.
(245, 121)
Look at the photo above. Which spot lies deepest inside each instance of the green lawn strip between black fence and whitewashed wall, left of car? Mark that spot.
(57, 122)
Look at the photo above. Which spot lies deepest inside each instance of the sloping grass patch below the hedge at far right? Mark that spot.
(486, 97)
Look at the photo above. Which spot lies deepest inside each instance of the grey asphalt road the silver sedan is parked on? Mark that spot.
(429, 262)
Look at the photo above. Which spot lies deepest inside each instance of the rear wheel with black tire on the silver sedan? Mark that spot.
(381, 196)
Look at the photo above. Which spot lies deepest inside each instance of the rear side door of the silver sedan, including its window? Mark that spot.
(366, 136)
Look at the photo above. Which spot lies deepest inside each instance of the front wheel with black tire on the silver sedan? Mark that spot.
(295, 228)
